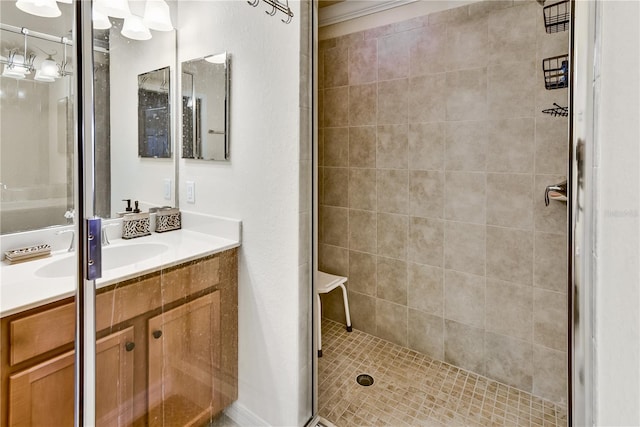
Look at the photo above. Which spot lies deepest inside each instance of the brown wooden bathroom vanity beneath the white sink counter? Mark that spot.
(166, 347)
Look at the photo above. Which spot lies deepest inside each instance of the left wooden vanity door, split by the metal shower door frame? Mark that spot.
(43, 394)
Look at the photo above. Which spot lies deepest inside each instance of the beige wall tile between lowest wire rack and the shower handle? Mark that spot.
(552, 146)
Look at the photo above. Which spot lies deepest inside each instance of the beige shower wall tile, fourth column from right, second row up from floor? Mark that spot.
(425, 288)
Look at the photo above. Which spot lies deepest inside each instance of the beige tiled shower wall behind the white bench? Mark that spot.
(433, 159)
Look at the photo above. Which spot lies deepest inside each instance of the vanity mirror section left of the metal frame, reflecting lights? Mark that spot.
(36, 120)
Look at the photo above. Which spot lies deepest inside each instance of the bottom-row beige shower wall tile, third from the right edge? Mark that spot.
(464, 346)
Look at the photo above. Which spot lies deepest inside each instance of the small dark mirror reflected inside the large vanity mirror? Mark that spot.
(154, 128)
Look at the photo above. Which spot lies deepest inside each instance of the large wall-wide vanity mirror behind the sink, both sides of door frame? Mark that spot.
(37, 121)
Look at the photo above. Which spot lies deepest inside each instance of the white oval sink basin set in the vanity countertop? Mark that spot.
(112, 257)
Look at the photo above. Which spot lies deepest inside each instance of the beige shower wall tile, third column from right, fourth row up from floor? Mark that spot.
(465, 197)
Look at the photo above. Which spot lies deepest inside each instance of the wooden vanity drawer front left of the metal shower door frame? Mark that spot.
(41, 332)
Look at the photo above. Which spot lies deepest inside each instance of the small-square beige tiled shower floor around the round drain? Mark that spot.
(410, 389)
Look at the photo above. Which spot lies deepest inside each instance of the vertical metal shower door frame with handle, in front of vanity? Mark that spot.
(84, 197)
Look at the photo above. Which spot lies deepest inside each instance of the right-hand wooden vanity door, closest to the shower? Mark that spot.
(184, 354)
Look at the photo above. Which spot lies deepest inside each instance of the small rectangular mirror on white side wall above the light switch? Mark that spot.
(205, 108)
